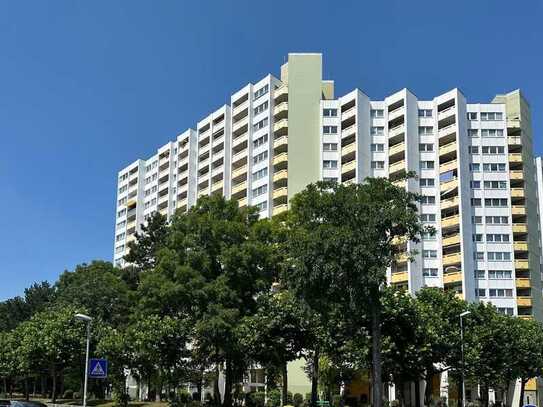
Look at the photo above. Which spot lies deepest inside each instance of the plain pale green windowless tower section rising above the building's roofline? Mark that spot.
(304, 81)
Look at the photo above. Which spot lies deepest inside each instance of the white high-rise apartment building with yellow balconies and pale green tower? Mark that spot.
(474, 162)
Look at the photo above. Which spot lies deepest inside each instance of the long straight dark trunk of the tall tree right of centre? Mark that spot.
(377, 381)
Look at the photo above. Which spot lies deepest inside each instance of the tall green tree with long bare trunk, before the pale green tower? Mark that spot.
(341, 243)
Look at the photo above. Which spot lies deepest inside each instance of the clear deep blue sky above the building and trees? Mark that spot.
(86, 87)
